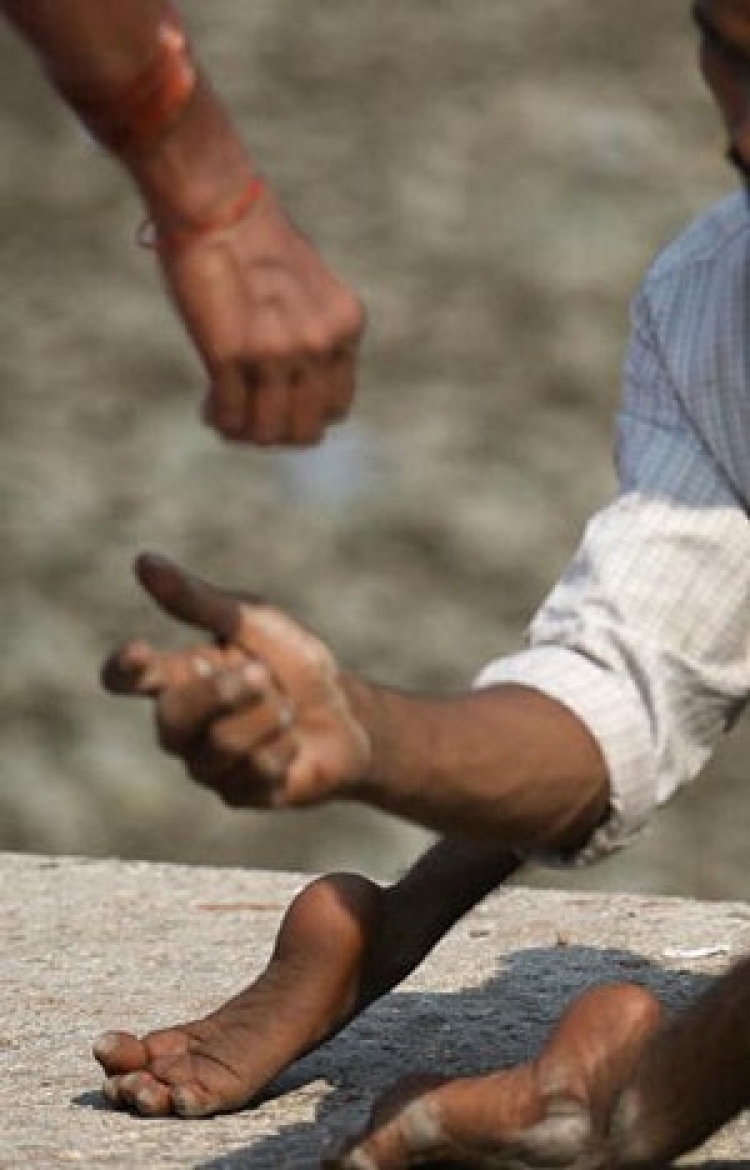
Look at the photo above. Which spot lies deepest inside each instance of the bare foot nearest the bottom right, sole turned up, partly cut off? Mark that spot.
(551, 1112)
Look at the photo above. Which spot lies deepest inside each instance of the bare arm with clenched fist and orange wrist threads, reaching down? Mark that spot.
(277, 332)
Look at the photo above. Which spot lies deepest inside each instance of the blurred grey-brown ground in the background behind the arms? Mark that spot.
(493, 178)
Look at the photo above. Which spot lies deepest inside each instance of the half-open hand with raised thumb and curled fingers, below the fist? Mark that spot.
(259, 713)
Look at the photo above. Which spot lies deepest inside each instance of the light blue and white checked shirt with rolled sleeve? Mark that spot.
(646, 637)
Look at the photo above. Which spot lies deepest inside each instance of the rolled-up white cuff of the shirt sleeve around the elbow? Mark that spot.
(610, 707)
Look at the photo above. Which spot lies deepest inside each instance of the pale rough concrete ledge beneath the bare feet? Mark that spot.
(94, 945)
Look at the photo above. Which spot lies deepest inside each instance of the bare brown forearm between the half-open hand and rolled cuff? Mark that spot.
(506, 765)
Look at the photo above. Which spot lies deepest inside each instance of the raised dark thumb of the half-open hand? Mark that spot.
(189, 598)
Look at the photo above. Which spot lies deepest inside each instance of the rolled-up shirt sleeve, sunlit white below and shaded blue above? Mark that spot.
(648, 635)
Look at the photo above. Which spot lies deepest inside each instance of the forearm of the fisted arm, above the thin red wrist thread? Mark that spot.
(95, 52)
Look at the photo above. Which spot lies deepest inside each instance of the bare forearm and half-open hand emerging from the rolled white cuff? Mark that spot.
(266, 718)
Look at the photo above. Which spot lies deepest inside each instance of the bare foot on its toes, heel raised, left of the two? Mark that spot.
(312, 987)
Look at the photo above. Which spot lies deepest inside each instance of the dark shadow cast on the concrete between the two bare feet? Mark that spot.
(459, 1034)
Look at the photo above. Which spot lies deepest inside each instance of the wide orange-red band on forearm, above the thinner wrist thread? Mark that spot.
(140, 114)
